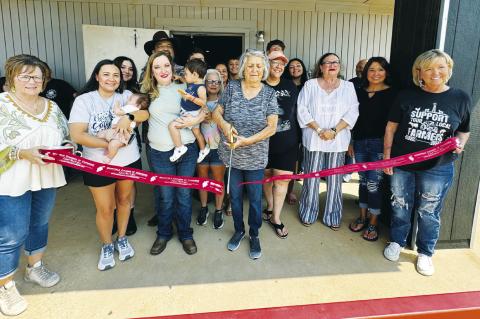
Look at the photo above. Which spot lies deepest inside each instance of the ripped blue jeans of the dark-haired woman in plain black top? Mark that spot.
(370, 196)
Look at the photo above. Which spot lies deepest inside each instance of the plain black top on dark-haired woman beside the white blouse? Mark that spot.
(373, 113)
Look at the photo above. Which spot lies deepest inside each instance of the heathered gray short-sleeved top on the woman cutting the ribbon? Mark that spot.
(249, 117)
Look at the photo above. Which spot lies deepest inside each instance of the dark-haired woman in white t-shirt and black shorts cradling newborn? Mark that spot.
(93, 112)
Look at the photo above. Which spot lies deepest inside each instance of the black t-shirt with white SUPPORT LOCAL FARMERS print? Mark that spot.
(426, 119)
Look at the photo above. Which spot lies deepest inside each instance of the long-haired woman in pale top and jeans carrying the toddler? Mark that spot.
(171, 204)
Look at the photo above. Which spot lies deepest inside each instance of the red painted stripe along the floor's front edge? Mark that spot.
(453, 305)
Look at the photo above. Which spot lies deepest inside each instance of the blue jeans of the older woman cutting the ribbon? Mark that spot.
(254, 192)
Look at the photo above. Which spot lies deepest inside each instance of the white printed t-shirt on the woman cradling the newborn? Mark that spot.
(91, 108)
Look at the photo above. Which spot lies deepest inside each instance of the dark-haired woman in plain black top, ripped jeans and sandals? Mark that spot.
(375, 97)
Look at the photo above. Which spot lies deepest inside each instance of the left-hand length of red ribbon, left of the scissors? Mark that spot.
(66, 158)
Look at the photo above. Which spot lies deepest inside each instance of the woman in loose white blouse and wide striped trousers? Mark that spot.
(327, 111)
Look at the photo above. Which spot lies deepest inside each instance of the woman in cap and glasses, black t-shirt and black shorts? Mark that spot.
(283, 146)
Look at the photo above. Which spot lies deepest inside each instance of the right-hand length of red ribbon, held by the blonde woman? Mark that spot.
(416, 157)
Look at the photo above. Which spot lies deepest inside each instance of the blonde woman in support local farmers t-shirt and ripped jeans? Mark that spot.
(419, 119)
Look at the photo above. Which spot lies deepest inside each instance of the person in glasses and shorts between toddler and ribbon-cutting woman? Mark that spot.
(212, 162)
